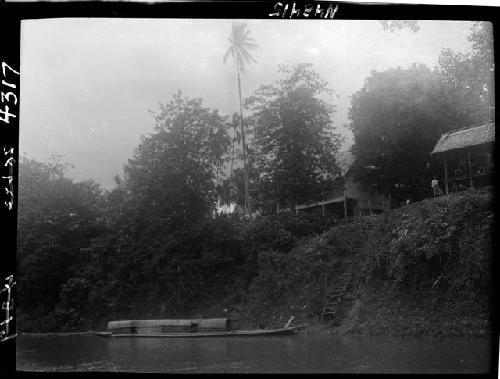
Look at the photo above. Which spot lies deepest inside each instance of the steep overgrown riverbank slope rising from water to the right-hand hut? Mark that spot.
(420, 270)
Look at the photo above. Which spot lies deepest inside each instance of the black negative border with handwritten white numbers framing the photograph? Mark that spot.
(12, 13)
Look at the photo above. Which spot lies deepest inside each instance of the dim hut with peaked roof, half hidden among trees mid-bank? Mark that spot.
(347, 197)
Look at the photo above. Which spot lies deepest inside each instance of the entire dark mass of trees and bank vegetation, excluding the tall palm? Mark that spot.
(155, 245)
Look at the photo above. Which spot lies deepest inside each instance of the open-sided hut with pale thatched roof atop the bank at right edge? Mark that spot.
(467, 156)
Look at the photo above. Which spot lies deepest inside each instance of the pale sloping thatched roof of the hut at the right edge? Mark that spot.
(467, 137)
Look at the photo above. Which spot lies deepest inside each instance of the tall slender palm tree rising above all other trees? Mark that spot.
(240, 44)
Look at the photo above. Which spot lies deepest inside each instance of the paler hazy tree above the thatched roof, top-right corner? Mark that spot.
(468, 78)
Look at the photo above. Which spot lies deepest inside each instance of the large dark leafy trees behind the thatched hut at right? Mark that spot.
(398, 116)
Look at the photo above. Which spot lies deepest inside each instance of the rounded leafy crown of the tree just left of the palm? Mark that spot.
(173, 172)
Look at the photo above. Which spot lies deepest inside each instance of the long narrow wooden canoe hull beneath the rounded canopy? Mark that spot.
(233, 333)
